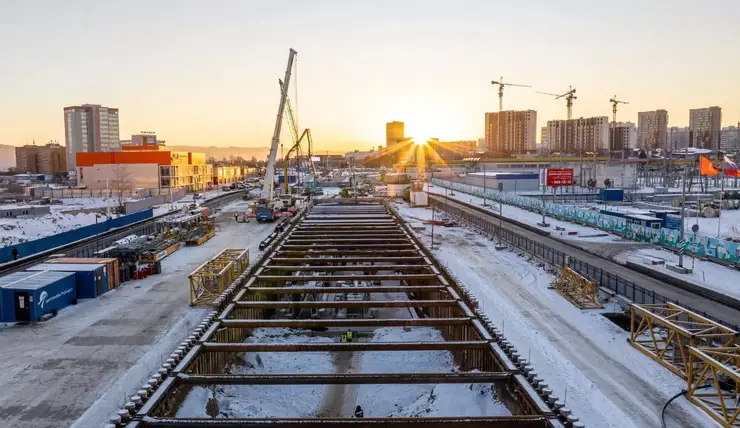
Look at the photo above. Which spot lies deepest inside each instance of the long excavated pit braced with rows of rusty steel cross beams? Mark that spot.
(340, 267)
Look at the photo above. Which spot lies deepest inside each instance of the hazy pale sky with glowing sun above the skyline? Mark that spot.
(205, 72)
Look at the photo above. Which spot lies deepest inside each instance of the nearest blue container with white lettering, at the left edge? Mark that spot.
(27, 296)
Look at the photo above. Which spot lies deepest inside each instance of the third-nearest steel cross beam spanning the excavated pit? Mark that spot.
(345, 347)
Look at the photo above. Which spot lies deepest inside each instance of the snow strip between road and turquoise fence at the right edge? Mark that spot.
(706, 273)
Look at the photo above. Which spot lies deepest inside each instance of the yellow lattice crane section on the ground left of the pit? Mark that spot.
(210, 279)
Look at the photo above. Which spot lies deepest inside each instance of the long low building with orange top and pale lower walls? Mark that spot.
(143, 167)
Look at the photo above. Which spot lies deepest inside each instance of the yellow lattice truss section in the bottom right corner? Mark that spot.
(714, 383)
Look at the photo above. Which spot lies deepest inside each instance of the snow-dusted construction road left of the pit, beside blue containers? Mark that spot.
(91, 355)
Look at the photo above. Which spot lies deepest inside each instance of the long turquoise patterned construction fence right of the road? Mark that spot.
(725, 252)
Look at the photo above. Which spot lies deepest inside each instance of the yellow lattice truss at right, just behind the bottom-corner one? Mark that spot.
(664, 332)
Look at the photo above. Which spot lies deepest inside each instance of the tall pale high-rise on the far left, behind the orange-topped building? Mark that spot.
(90, 128)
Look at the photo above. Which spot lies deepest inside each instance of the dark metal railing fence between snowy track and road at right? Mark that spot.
(600, 277)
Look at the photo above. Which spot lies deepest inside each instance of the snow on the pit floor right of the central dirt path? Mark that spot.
(413, 400)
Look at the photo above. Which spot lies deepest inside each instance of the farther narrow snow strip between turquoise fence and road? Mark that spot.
(584, 233)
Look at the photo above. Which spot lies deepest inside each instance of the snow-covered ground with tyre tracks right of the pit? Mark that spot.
(584, 357)
